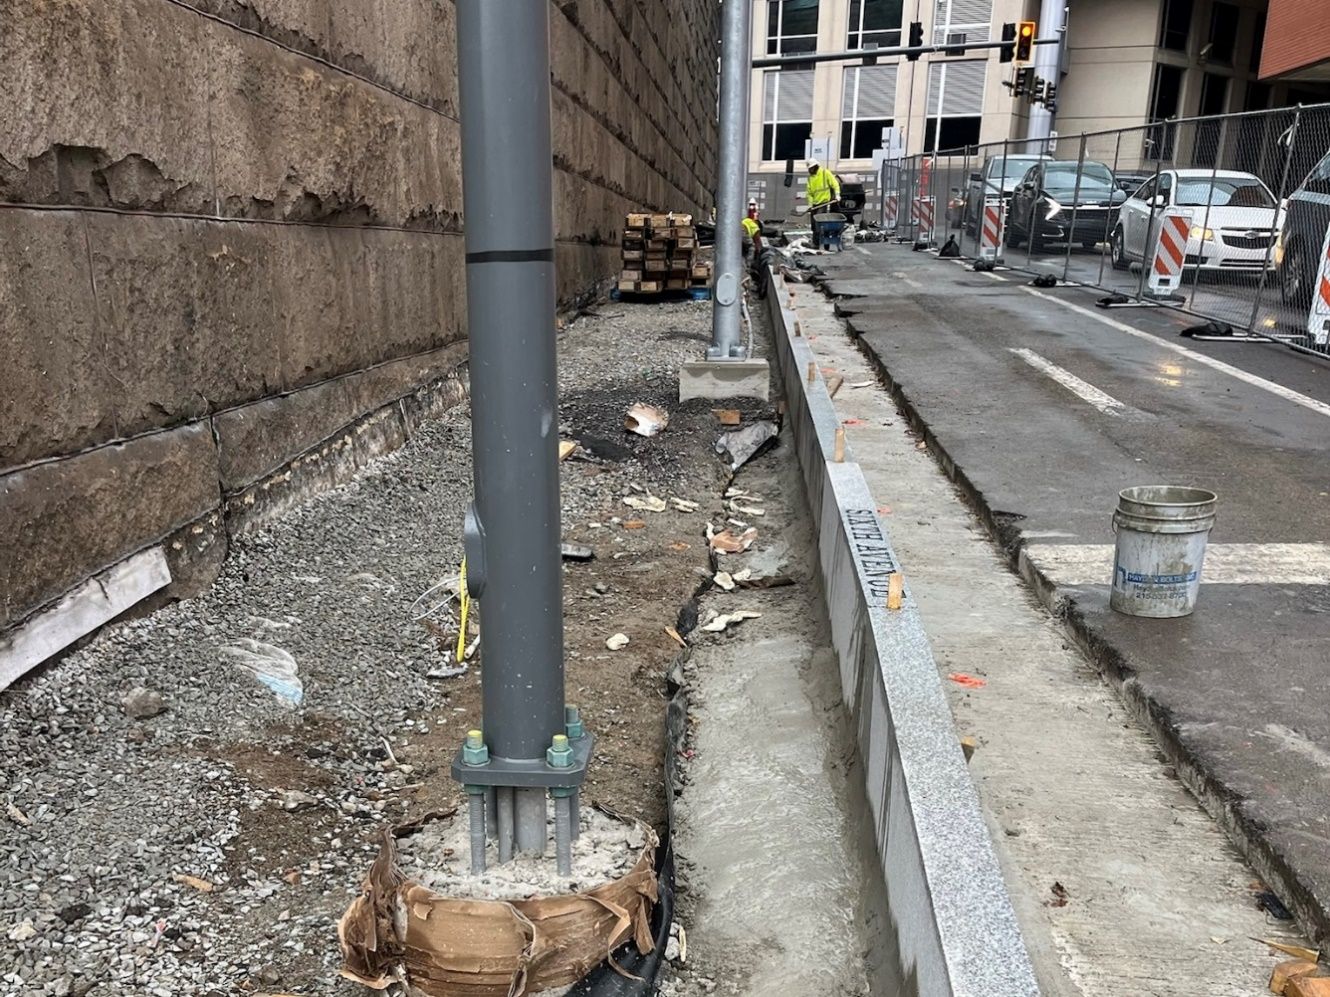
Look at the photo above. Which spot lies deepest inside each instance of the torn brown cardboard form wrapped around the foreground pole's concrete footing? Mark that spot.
(400, 931)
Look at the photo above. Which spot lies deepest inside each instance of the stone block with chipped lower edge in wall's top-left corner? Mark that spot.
(104, 104)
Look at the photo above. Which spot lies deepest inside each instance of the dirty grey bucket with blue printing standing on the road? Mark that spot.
(1162, 536)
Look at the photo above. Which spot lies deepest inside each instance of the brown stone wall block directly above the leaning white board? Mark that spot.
(70, 519)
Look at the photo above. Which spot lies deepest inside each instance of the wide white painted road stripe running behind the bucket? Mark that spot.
(1226, 564)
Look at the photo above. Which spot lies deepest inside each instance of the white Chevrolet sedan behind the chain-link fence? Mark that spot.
(1235, 220)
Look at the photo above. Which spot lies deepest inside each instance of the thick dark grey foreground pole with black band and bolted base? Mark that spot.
(513, 528)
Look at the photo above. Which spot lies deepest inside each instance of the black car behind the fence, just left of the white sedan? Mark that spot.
(1042, 207)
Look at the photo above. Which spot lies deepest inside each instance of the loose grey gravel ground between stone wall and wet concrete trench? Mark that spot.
(211, 849)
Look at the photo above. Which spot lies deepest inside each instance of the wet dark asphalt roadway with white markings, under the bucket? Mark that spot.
(1043, 407)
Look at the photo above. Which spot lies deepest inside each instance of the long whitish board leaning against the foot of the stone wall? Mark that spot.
(99, 600)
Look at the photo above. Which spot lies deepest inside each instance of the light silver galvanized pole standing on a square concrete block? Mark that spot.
(727, 333)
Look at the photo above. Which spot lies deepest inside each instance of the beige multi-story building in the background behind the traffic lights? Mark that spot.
(1126, 63)
